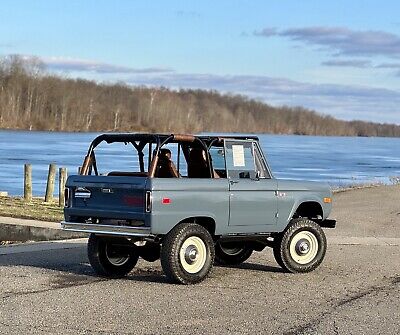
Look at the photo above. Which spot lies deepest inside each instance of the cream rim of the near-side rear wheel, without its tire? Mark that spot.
(193, 254)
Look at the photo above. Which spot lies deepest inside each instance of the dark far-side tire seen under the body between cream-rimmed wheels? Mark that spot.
(232, 253)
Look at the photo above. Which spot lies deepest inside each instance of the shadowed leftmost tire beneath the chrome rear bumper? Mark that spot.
(110, 260)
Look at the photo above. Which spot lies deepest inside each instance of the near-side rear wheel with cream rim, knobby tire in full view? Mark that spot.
(187, 253)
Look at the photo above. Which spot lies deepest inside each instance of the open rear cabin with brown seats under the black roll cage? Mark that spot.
(159, 156)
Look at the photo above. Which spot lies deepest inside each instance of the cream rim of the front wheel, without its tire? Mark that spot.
(303, 247)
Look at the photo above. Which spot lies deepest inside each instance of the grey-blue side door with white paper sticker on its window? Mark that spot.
(252, 191)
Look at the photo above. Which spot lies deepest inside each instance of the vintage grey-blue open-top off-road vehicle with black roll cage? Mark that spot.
(192, 201)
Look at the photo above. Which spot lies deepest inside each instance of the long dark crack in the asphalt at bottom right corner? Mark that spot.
(311, 325)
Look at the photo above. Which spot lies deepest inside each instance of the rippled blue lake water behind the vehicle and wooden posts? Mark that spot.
(340, 161)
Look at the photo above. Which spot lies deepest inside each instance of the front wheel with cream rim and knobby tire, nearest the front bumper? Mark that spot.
(301, 247)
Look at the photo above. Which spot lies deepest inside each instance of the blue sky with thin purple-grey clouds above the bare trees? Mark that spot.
(338, 57)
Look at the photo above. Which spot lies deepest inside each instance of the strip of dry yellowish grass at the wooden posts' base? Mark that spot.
(37, 209)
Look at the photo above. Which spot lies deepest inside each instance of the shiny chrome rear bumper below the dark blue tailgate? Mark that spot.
(110, 230)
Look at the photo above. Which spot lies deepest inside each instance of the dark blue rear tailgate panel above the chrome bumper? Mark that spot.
(111, 197)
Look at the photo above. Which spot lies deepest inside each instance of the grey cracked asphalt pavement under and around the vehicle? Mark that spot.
(49, 288)
